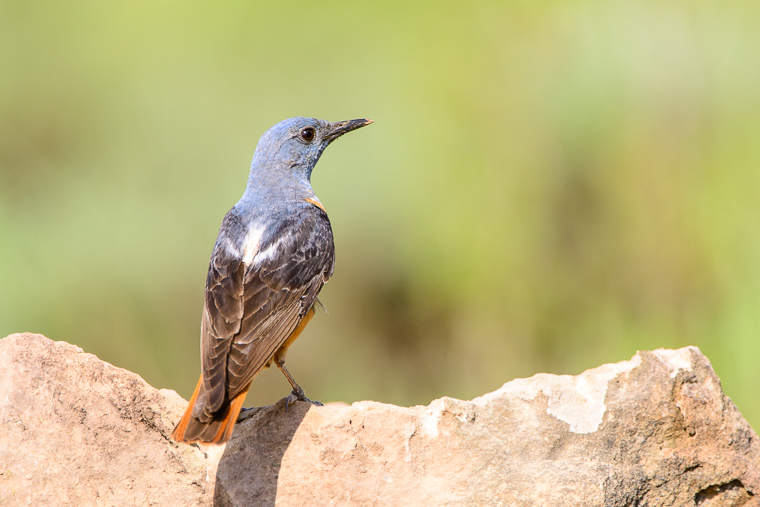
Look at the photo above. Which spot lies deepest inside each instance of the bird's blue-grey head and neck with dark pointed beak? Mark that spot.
(287, 152)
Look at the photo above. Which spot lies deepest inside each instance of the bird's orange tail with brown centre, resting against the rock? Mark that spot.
(217, 431)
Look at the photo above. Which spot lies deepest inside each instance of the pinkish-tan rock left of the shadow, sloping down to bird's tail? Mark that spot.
(79, 431)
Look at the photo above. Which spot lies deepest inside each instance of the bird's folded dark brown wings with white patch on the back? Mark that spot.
(252, 307)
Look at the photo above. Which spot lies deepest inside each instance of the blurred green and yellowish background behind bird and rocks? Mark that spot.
(548, 186)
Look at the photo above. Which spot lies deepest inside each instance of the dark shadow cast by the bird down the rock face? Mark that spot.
(249, 469)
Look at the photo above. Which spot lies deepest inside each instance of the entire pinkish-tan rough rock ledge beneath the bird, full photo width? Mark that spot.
(653, 431)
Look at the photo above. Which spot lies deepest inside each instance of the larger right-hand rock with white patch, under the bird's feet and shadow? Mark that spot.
(653, 431)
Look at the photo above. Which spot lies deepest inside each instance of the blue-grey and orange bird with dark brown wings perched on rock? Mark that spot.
(273, 255)
